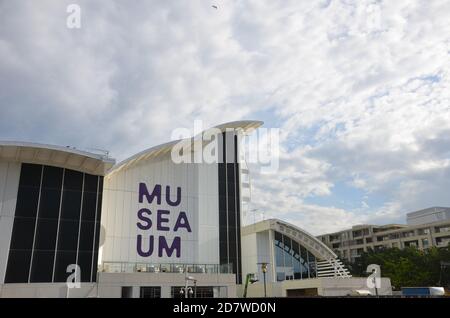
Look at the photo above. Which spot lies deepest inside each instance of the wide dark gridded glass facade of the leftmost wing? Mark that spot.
(56, 223)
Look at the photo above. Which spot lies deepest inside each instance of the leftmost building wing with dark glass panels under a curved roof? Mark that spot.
(50, 202)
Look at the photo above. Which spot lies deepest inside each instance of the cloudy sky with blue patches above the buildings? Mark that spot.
(359, 89)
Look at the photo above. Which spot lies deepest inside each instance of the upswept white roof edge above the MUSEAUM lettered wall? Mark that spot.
(245, 125)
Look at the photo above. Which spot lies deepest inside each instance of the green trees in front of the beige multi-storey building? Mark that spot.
(408, 267)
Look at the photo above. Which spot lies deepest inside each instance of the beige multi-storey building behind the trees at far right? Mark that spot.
(350, 244)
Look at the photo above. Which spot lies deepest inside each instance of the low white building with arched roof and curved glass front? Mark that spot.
(298, 264)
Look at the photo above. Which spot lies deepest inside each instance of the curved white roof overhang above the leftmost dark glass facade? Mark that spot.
(65, 157)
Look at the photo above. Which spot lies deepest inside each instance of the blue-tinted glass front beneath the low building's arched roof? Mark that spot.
(292, 260)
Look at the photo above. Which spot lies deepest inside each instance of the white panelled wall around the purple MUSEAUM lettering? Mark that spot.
(199, 188)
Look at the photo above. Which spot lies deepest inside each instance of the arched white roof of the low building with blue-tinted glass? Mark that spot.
(314, 245)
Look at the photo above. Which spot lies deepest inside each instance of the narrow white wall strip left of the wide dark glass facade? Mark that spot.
(9, 185)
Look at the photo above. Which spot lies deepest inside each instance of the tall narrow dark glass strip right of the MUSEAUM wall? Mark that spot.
(229, 208)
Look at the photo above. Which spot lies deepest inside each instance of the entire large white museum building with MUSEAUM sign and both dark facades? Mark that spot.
(145, 227)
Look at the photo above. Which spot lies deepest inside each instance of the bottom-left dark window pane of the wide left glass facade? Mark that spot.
(18, 266)
